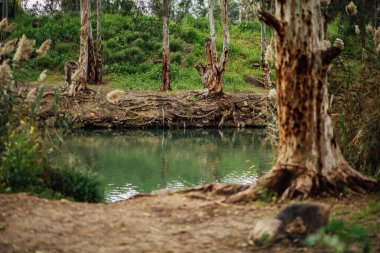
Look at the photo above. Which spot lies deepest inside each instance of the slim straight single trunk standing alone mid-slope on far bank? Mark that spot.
(165, 47)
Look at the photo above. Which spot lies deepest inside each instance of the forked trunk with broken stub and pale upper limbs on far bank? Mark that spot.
(212, 74)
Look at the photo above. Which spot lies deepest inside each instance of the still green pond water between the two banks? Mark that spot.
(136, 161)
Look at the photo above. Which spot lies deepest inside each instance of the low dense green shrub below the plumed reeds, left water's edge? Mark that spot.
(25, 165)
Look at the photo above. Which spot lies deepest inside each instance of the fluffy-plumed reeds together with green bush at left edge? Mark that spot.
(25, 153)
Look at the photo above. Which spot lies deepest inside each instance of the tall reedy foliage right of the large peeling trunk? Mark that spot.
(354, 86)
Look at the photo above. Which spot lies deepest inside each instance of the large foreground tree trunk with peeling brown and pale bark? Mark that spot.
(309, 161)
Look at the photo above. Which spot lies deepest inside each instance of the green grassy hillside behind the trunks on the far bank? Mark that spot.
(131, 45)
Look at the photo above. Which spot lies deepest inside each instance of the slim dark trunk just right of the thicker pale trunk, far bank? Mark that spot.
(99, 63)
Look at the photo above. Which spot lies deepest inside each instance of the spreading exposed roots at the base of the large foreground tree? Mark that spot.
(291, 182)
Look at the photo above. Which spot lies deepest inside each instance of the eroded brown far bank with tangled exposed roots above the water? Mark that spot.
(152, 109)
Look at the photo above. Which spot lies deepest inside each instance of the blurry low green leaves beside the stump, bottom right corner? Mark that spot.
(341, 238)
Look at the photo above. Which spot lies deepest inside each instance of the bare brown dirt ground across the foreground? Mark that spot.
(191, 222)
